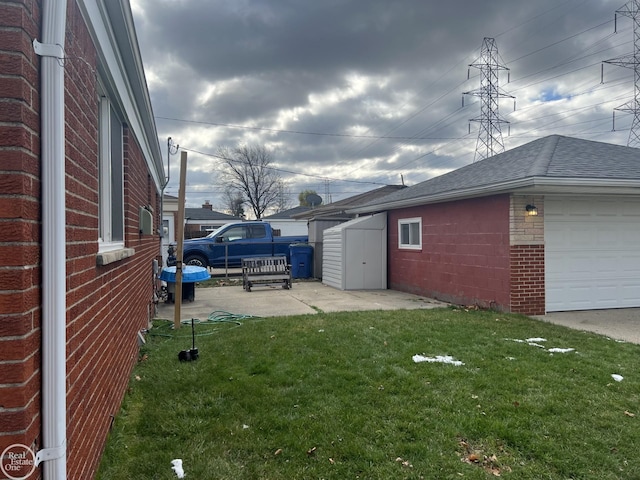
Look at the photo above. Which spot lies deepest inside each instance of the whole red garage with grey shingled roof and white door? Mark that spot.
(469, 236)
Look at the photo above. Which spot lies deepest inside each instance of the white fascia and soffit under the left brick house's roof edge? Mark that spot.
(122, 82)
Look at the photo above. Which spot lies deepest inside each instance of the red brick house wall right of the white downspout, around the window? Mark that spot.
(106, 305)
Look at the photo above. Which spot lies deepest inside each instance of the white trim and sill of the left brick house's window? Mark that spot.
(105, 241)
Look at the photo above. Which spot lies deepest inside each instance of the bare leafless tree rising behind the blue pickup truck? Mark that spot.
(248, 172)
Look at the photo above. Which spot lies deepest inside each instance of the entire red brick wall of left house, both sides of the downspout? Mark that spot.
(106, 305)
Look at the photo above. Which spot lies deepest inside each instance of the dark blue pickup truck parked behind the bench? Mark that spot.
(229, 244)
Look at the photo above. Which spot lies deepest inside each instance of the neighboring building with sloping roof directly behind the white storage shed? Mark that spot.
(327, 216)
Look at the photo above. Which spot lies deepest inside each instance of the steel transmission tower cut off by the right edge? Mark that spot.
(632, 60)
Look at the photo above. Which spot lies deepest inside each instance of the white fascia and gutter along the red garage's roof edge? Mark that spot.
(525, 185)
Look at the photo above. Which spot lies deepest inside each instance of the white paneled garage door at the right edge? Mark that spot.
(592, 252)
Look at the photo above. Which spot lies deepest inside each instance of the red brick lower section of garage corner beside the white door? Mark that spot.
(527, 279)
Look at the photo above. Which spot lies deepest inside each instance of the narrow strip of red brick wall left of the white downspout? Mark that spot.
(19, 224)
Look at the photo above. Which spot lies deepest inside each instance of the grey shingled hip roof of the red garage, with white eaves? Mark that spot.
(553, 164)
